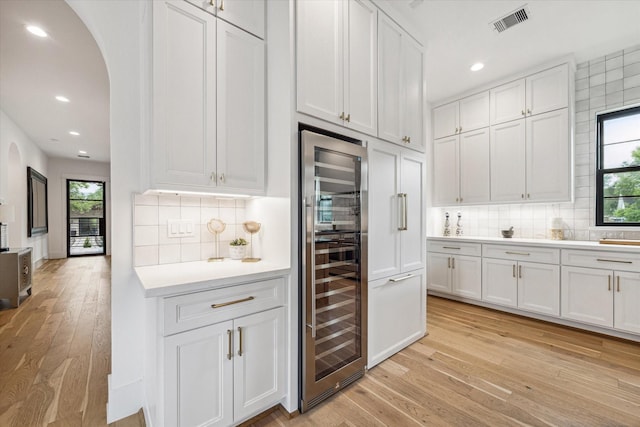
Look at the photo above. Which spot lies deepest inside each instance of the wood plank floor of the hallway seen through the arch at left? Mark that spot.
(55, 349)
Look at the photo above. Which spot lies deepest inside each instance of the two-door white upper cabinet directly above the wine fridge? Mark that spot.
(337, 62)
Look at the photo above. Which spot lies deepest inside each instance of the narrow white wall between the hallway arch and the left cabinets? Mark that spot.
(121, 28)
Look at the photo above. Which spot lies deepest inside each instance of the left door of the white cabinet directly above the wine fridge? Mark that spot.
(320, 54)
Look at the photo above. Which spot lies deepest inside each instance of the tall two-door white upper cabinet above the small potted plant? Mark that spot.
(208, 103)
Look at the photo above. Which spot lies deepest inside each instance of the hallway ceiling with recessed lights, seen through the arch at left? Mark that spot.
(34, 70)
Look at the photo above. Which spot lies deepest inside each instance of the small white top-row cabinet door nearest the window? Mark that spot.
(548, 90)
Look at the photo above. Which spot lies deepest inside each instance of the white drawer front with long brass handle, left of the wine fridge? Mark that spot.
(198, 309)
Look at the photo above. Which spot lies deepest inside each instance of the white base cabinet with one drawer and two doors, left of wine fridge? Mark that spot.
(224, 372)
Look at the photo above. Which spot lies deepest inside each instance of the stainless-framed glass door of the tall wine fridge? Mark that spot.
(334, 289)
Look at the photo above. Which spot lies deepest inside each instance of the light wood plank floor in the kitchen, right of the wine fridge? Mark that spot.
(479, 367)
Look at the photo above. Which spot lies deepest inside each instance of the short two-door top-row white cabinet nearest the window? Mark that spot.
(538, 93)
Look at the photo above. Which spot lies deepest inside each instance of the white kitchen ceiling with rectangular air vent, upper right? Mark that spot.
(458, 34)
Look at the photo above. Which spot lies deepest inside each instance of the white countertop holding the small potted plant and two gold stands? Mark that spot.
(170, 279)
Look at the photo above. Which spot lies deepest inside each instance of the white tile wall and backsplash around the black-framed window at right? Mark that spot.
(604, 83)
